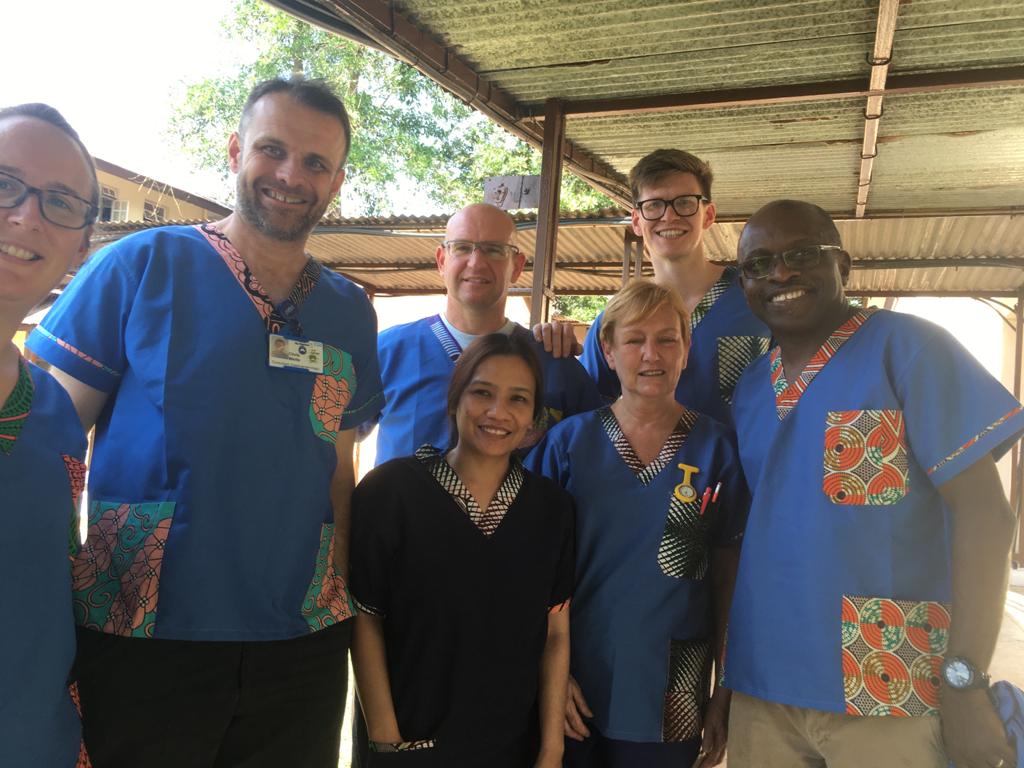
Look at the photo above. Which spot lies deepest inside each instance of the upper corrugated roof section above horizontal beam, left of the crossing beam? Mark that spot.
(583, 49)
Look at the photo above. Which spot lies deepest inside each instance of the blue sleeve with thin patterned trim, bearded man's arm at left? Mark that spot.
(84, 332)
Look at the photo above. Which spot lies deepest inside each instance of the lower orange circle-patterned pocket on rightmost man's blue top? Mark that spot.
(892, 651)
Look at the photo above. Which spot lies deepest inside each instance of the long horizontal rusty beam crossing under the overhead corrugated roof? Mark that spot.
(782, 95)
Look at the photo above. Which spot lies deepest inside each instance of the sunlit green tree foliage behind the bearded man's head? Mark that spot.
(406, 127)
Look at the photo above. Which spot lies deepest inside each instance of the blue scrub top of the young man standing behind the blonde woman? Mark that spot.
(727, 337)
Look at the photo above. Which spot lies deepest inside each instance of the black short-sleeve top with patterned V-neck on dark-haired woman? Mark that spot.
(464, 595)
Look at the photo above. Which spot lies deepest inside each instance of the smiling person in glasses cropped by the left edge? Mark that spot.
(49, 195)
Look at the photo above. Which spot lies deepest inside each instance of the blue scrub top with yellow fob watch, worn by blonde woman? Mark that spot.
(643, 631)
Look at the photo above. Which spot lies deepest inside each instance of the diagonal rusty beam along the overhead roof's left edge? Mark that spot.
(393, 32)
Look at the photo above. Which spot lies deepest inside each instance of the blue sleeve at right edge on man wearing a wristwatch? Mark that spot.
(955, 412)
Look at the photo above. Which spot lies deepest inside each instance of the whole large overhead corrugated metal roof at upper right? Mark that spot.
(944, 151)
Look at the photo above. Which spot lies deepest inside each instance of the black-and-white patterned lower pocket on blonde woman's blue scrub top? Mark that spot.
(689, 690)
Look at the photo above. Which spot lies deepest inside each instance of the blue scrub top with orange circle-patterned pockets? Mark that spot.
(842, 603)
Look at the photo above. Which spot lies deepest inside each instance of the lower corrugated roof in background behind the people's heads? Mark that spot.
(387, 258)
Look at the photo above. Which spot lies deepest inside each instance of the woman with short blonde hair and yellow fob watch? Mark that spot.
(661, 505)
